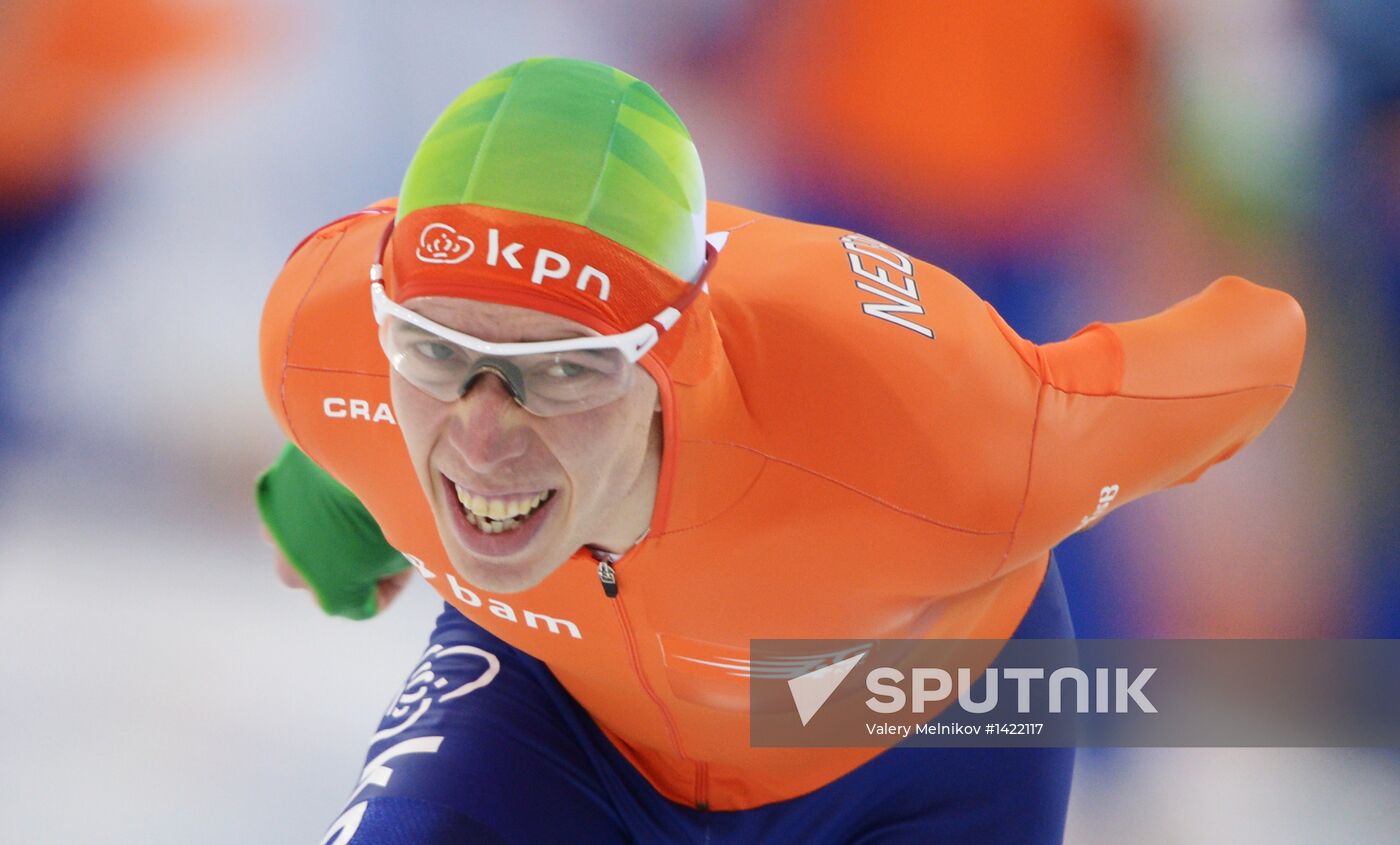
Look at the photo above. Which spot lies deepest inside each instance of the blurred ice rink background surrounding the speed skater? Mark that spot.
(1072, 162)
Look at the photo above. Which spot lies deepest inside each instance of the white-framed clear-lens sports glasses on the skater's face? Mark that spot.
(548, 378)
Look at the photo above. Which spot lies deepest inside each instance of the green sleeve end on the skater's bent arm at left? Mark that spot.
(327, 535)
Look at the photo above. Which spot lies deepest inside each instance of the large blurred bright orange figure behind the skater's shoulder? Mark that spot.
(993, 136)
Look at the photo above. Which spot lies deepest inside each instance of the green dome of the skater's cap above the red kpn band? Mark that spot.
(576, 142)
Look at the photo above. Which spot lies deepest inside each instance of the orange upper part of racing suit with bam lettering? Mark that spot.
(856, 446)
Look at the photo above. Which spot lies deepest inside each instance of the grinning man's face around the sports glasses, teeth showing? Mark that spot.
(570, 481)
